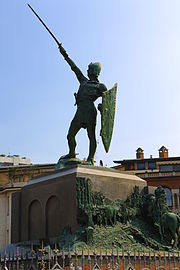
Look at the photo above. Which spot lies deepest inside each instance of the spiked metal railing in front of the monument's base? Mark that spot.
(54, 259)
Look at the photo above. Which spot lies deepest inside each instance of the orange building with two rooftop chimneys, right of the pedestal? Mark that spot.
(161, 171)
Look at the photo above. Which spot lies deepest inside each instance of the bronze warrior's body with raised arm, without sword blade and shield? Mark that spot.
(85, 117)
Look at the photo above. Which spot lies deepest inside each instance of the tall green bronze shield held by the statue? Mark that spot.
(107, 116)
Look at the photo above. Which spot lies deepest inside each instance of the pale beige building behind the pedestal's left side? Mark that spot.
(13, 176)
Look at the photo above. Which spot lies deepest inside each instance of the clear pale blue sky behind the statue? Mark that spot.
(138, 44)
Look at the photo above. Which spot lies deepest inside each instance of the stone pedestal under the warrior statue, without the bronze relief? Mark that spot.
(48, 204)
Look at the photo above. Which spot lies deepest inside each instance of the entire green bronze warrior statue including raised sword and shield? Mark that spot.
(89, 90)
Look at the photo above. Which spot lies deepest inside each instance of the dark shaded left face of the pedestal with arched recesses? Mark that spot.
(42, 209)
